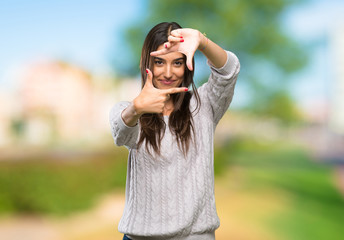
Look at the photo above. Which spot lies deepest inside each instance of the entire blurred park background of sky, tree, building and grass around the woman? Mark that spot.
(279, 160)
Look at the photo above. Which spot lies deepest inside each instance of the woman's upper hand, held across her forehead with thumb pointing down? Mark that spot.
(184, 40)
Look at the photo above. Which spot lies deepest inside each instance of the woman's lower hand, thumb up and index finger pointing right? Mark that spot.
(152, 99)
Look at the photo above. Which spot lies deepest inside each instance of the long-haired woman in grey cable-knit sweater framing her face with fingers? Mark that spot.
(169, 133)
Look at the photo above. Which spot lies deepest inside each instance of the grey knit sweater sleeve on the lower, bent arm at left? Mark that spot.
(122, 134)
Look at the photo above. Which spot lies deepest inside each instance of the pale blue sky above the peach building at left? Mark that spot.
(79, 31)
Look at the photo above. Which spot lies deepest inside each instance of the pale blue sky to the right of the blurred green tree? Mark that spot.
(313, 24)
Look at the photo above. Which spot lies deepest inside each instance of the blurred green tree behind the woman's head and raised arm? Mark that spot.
(250, 28)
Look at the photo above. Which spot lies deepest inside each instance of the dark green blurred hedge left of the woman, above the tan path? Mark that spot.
(59, 186)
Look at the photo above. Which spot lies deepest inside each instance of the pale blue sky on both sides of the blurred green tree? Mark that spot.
(86, 33)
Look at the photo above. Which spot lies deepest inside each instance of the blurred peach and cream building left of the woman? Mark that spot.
(60, 104)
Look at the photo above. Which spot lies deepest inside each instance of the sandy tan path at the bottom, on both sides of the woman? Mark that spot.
(238, 209)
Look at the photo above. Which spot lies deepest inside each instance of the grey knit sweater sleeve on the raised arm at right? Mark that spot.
(218, 92)
